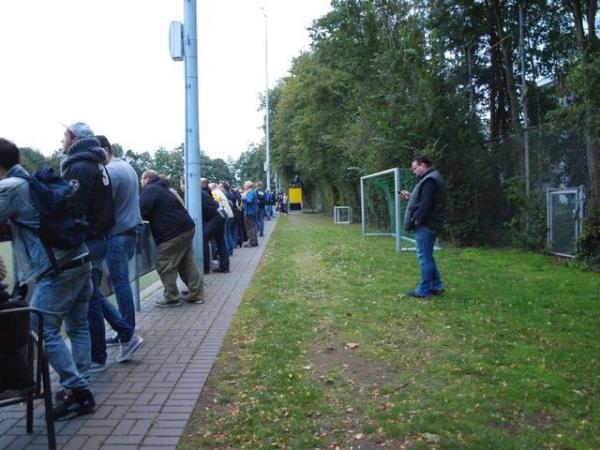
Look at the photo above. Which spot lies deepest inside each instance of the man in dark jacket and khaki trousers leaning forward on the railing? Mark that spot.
(173, 232)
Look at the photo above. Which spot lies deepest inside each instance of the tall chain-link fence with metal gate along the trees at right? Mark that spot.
(513, 181)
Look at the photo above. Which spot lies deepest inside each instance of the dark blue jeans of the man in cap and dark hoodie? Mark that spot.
(98, 303)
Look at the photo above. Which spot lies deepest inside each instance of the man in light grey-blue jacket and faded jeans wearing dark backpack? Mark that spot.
(62, 285)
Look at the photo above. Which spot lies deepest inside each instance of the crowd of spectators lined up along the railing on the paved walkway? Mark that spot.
(109, 199)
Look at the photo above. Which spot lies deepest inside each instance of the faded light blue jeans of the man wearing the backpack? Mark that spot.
(65, 296)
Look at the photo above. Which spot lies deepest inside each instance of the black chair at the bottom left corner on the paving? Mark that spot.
(24, 372)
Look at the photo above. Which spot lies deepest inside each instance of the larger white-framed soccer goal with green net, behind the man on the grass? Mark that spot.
(382, 209)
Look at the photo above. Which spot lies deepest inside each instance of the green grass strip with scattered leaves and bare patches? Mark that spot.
(325, 351)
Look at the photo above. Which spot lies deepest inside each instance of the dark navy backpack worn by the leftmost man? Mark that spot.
(62, 226)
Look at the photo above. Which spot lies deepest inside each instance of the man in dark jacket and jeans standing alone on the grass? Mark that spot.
(425, 215)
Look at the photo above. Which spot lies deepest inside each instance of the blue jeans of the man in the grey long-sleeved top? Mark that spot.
(120, 250)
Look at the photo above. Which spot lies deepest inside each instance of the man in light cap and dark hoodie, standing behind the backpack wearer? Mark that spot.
(84, 167)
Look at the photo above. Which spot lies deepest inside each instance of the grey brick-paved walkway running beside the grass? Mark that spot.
(146, 403)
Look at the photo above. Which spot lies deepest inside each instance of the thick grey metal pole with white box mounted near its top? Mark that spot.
(184, 46)
